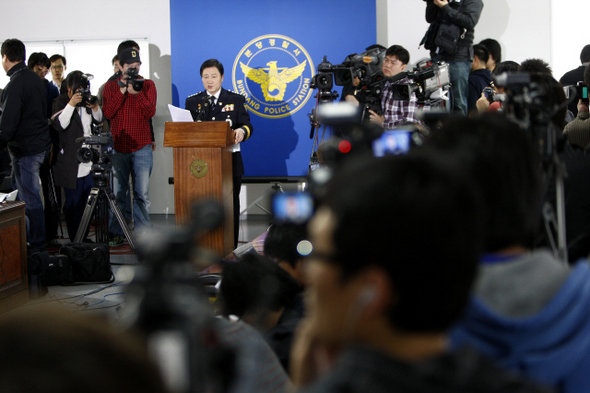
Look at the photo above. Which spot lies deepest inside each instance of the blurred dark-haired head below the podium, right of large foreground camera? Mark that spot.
(256, 290)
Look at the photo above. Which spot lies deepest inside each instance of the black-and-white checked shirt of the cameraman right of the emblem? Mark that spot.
(396, 112)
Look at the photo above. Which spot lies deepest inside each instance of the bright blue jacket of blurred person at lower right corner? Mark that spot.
(551, 347)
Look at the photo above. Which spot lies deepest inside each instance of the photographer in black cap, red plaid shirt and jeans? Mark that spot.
(129, 102)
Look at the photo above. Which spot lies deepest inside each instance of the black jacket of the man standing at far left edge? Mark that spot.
(23, 123)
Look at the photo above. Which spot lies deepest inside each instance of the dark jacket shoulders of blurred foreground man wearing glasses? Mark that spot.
(363, 369)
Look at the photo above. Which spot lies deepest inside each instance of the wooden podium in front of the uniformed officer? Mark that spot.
(203, 170)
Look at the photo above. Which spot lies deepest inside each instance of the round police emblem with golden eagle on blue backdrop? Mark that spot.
(273, 72)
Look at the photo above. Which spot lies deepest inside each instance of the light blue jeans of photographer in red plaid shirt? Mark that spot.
(138, 164)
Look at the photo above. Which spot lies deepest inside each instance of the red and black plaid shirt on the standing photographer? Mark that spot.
(129, 115)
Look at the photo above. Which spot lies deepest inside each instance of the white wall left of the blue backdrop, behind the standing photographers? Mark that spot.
(35, 20)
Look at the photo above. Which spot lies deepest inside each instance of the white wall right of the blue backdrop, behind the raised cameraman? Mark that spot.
(546, 29)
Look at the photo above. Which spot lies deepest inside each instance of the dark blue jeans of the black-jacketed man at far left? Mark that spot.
(25, 178)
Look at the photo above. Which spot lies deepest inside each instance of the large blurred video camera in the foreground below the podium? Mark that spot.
(168, 303)
